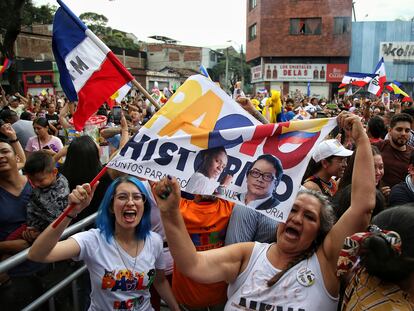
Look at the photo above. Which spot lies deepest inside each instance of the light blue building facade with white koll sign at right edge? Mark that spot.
(393, 40)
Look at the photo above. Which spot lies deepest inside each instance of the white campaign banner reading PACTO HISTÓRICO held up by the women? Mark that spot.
(214, 147)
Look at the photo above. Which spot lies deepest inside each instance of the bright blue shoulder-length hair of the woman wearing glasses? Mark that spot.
(105, 220)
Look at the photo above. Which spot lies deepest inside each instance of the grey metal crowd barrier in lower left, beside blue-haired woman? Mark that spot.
(19, 258)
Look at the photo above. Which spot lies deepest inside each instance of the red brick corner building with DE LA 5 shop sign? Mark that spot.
(291, 43)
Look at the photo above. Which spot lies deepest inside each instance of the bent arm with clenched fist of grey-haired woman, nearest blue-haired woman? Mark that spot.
(227, 261)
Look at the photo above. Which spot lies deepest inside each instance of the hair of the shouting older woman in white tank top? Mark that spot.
(327, 220)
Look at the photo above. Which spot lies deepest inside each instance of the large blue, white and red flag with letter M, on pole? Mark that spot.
(89, 71)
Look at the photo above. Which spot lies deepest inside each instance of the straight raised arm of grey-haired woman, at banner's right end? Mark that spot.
(358, 215)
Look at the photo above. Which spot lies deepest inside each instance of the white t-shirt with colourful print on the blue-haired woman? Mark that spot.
(114, 287)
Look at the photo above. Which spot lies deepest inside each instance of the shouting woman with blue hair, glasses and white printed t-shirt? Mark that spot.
(123, 256)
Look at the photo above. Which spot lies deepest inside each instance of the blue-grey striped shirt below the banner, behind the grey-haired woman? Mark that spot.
(247, 225)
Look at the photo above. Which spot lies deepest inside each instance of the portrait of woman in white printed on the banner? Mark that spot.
(205, 179)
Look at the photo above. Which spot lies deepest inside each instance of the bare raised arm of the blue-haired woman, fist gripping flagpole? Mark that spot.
(47, 247)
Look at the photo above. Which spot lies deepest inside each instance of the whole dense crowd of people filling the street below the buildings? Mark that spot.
(202, 252)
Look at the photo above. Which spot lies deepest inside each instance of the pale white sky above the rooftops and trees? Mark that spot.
(208, 23)
